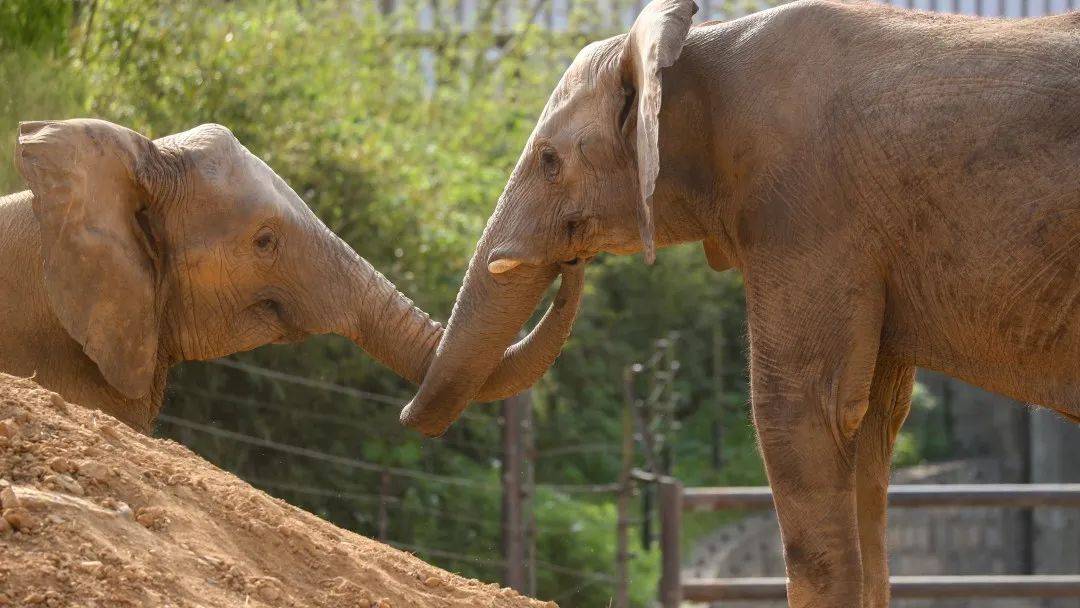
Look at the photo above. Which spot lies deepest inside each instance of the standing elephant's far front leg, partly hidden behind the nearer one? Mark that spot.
(890, 402)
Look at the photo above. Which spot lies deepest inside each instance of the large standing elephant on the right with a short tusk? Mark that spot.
(900, 190)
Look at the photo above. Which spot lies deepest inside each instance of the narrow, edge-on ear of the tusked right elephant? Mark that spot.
(654, 44)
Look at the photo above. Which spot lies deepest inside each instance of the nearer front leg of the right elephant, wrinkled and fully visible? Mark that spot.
(813, 362)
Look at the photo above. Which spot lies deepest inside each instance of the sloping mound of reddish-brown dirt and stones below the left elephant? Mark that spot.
(98, 516)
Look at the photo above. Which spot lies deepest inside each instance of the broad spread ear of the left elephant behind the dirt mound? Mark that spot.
(100, 278)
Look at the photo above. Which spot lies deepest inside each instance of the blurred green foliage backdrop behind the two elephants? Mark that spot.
(399, 123)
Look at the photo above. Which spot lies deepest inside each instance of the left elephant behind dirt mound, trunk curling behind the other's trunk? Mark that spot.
(128, 256)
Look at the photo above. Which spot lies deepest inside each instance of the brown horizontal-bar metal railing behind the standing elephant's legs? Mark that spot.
(674, 501)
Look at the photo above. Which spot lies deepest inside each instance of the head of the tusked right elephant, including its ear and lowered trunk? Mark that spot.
(584, 185)
